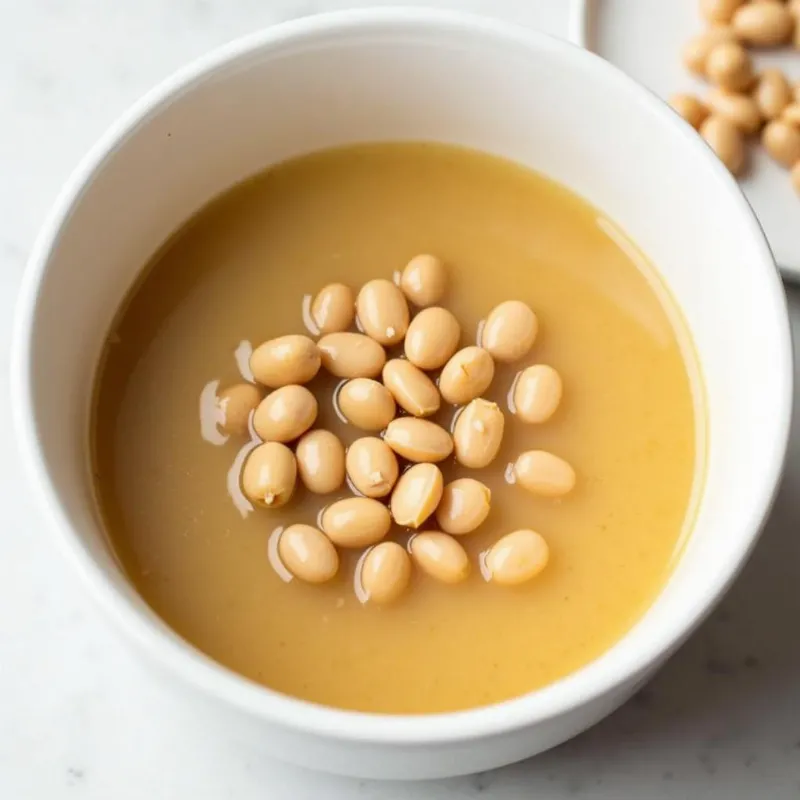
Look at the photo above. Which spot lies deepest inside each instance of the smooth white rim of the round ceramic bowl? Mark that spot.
(590, 682)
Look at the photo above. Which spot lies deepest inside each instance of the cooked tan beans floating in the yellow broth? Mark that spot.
(371, 391)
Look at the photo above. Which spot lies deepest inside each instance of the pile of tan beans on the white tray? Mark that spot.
(742, 103)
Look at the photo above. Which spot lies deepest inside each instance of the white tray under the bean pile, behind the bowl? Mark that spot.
(644, 38)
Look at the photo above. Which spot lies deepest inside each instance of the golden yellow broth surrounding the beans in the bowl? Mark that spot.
(239, 271)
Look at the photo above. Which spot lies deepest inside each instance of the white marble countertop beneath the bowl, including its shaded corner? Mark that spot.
(78, 719)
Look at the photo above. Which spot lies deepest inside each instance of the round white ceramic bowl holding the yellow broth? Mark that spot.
(409, 74)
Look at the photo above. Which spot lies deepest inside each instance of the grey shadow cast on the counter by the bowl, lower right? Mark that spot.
(733, 690)
